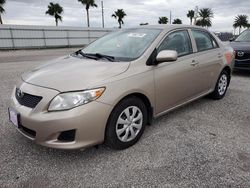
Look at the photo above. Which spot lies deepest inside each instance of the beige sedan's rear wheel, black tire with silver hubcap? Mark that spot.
(221, 86)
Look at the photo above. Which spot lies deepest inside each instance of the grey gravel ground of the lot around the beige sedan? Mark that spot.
(203, 144)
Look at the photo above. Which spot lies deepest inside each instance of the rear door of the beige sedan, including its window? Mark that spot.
(210, 58)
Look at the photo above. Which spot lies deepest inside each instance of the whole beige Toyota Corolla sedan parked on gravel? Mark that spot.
(111, 89)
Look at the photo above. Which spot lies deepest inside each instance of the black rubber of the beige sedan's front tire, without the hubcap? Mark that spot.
(111, 138)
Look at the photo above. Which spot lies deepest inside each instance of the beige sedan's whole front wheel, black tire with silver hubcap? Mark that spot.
(126, 123)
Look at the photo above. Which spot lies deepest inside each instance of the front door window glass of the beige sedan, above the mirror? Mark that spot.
(178, 41)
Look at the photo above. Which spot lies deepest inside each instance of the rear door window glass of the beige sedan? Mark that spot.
(204, 40)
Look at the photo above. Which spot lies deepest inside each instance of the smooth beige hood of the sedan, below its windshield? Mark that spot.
(72, 73)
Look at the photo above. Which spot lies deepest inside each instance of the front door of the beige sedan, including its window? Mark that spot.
(175, 82)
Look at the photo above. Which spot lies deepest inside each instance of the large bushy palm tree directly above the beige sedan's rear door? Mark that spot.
(205, 16)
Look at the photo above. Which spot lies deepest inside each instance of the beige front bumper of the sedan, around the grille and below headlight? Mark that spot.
(88, 121)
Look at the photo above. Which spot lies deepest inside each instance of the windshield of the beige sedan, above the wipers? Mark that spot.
(124, 45)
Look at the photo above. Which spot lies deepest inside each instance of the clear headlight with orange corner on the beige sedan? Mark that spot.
(69, 100)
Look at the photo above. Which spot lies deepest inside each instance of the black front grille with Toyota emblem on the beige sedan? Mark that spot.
(26, 99)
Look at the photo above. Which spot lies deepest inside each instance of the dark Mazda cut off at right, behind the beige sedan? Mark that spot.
(241, 46)
